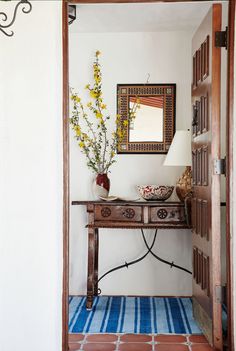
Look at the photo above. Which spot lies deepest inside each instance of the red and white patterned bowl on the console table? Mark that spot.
(155, 192)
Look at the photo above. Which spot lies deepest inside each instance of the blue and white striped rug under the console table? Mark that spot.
(145, 315)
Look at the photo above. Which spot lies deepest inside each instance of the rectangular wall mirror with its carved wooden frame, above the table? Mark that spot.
(152, 129)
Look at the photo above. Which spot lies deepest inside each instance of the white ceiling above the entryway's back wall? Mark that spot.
(139, 17)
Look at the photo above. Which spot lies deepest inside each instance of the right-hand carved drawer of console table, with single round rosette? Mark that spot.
(167, 214)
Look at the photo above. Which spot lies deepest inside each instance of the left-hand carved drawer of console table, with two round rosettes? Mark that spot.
(118, 213)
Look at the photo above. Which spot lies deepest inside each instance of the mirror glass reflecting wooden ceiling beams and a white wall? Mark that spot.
(148, 123)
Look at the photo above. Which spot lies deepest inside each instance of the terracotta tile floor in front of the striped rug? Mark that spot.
(137, 342)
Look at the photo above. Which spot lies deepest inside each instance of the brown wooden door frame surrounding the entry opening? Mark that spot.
(230, 178)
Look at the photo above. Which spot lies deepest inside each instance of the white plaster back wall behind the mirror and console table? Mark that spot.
(128, 58)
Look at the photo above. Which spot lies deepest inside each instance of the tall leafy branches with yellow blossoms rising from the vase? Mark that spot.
(97, 136)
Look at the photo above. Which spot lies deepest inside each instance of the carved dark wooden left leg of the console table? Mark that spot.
(91, 261)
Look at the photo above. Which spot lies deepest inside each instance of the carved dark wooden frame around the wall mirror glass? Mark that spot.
(124, 94)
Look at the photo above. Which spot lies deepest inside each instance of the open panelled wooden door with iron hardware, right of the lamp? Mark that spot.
(206, 183)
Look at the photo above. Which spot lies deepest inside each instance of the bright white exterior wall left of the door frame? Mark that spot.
(31, 180)
